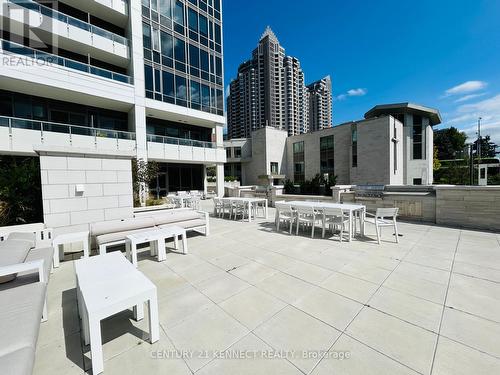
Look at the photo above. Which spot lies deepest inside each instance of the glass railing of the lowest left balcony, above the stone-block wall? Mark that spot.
(46, 126)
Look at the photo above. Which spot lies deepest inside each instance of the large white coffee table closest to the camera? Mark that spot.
(106, 285)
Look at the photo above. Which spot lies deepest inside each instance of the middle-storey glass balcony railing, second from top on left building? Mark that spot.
(44, 58)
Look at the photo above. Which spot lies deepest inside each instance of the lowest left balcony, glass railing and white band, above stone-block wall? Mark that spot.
(19, 135)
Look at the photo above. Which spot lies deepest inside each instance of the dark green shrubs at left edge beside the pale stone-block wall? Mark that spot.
(20, 190)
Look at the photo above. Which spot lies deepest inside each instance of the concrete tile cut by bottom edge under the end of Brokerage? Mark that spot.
(361, 360)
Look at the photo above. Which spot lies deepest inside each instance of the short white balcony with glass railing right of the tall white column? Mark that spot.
(184, 150)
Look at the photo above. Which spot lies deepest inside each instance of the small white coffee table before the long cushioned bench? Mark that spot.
(156, 239)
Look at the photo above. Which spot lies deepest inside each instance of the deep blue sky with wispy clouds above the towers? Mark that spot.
(439, 53)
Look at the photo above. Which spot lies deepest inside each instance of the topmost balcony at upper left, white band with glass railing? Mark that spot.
(73, 33)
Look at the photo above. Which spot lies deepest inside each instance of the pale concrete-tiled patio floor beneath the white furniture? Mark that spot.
(248, 300)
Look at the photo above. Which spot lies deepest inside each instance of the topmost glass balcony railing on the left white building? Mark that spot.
(46, 11)
